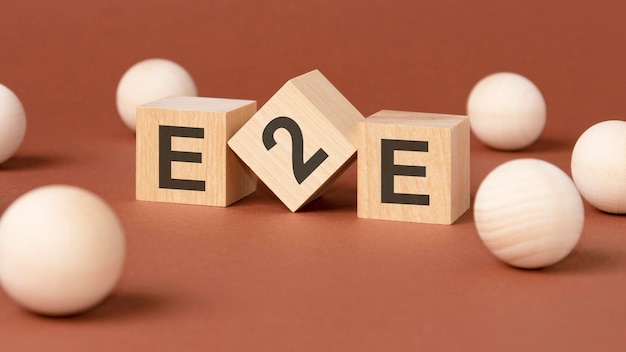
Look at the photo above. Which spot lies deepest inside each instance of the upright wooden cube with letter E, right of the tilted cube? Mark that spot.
(413, 167)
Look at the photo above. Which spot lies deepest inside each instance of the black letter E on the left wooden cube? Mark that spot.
(167, 155)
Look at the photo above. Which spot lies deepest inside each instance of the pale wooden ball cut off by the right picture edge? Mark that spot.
(599, 166)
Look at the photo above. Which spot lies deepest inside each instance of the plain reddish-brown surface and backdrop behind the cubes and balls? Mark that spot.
(254, 276)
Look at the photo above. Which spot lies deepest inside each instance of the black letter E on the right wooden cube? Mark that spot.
(389, 170)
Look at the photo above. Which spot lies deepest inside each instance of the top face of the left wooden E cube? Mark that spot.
(199, 104)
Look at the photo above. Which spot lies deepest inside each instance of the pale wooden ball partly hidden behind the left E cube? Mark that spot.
(151, 80)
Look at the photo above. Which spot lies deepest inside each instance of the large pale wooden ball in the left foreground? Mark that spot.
(62, 250)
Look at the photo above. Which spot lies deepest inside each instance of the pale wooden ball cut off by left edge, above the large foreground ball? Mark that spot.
(12, 123)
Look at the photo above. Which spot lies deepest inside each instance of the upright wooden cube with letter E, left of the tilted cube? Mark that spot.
(182, 155)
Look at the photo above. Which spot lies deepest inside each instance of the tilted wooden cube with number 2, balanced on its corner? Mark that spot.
(301, 139)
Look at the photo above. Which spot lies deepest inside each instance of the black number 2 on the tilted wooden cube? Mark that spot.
(301, 169)
